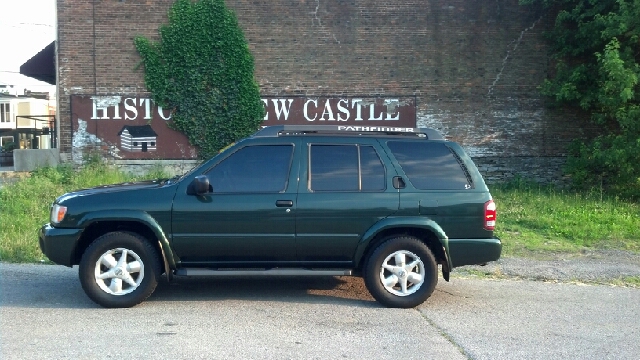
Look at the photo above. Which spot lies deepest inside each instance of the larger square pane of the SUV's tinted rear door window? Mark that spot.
(334, 168)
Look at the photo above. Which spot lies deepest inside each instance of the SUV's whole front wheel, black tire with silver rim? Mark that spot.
(116, 290)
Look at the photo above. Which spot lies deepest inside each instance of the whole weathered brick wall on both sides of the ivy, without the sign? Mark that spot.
(474, 65)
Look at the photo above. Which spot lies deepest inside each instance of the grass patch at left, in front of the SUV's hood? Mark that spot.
(24, 205)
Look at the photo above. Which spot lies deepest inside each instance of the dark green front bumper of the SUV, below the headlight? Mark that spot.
(59, 244)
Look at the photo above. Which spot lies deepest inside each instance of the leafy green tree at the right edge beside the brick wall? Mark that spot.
(595, 50)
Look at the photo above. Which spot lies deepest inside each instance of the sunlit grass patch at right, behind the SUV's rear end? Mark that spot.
(539, 218)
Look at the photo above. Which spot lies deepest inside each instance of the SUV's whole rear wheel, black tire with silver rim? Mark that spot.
(393, 294)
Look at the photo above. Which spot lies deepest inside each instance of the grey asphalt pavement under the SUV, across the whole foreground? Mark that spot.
(45, 315)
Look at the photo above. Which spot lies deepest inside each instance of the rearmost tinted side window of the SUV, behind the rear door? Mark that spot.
(430, 166)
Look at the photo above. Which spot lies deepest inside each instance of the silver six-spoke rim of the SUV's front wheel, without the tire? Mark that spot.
(119, 271)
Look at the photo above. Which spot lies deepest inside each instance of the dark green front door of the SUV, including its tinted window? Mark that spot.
(249, 215)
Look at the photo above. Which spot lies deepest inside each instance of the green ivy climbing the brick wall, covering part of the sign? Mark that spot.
(202, 69)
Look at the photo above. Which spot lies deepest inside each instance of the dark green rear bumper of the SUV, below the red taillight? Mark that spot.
(473, 251)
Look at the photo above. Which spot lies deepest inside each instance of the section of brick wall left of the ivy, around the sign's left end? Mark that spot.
(96, 54)
